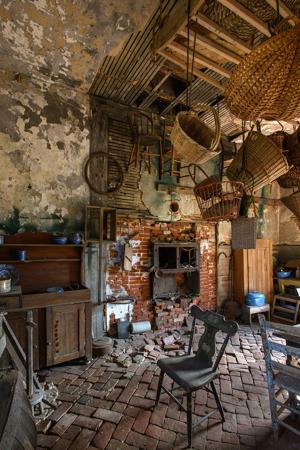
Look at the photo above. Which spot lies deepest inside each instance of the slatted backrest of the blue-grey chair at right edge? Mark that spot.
(271, 331)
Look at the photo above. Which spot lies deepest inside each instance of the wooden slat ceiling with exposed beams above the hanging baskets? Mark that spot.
(221, 32)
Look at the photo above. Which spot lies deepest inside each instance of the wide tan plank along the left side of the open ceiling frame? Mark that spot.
(177, 19)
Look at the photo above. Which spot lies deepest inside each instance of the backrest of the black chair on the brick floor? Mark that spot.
(213, 323)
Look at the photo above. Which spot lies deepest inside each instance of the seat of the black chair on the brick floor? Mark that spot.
(188, 371)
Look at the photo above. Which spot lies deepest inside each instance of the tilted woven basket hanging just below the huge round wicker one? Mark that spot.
(265, 163)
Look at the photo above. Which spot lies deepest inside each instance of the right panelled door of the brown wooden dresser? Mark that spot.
(65, 329)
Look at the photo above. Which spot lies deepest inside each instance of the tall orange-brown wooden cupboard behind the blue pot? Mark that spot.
(253, 271)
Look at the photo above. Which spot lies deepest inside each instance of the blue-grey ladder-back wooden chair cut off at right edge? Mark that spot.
(280, 376)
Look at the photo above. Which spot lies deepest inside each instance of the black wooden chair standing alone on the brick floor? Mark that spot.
(193, 372)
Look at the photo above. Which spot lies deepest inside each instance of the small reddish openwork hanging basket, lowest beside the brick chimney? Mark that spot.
(218, 200)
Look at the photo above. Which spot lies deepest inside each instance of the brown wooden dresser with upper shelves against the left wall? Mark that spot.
(63, 319)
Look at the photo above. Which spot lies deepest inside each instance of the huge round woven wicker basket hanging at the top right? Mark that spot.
(266, 83)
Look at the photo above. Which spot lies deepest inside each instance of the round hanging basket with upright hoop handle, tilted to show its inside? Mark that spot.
(192, 139)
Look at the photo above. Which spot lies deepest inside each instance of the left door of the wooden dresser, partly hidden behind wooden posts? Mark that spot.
(17, 321)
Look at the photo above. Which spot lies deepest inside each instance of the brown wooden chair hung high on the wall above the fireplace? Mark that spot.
(145, 139)
